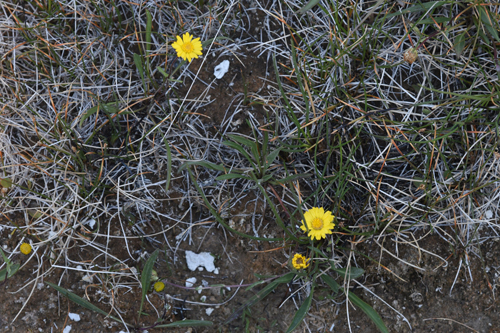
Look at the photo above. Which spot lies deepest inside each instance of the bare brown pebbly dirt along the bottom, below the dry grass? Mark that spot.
(431, 296)
